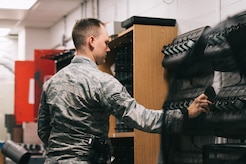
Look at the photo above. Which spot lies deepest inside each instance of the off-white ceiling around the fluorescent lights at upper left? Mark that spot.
(43, 14)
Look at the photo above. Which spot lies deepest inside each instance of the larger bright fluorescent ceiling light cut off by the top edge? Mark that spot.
(17, 4)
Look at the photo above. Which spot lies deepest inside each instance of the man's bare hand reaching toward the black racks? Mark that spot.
(199, 105)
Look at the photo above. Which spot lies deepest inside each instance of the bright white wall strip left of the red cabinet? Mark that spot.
(8, 49)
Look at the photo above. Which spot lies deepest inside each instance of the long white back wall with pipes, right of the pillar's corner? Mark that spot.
(190, 14)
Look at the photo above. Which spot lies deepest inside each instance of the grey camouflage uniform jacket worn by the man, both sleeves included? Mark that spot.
(76, 104)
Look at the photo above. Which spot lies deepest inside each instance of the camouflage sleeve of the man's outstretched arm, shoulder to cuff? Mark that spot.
(135, 115)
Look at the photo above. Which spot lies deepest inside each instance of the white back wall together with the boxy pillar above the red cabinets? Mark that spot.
(190, 14)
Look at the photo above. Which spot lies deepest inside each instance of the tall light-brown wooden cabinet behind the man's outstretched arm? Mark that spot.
(149, 85)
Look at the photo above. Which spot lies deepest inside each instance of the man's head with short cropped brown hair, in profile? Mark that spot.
(91, 39)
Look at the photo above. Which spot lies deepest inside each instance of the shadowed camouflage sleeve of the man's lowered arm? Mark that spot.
(44, 120)
